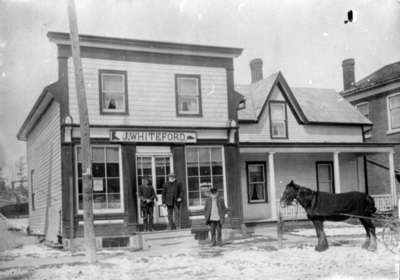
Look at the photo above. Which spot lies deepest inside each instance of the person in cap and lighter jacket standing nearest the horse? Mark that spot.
(214, 212)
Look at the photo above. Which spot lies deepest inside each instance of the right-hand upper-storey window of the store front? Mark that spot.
(188, 95)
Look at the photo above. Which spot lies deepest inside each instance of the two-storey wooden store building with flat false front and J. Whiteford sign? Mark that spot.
(154, 108)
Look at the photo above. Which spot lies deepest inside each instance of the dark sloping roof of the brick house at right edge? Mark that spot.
(381, 76)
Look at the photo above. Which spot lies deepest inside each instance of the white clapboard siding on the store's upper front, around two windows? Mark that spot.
(151, 94)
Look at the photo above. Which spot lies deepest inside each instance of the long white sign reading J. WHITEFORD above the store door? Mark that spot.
(158, 136)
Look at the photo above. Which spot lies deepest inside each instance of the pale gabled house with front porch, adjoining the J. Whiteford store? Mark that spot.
(310, 135)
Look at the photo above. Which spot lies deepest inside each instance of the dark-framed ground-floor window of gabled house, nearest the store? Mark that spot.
(256, 182)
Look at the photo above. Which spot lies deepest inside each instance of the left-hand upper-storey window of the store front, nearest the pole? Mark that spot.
(113, 92)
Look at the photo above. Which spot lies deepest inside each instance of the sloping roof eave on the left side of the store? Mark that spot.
(40, 106)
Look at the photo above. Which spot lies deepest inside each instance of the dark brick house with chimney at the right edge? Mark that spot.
(377, 97)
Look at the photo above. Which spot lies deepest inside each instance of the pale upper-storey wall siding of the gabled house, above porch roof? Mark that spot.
(260, 132)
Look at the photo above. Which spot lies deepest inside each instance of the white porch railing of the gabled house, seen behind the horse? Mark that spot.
(383, 202)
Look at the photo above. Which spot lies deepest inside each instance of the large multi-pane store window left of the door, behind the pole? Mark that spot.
(106, 175)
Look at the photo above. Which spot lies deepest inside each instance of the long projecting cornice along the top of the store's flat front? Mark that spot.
(62, 38)
